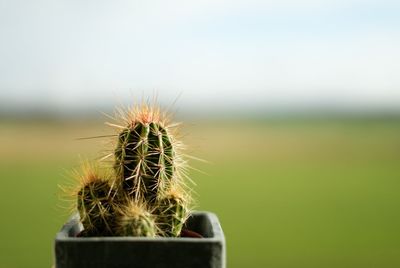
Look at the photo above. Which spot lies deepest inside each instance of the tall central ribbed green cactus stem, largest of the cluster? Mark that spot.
(144, 160)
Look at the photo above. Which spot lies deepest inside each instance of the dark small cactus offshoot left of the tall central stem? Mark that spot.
(95, 208)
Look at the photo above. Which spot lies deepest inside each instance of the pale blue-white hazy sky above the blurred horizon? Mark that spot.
(233, 55)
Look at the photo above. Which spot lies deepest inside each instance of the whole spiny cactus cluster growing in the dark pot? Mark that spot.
(146, 195)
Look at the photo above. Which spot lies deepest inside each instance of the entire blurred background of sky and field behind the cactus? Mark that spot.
(294, 104)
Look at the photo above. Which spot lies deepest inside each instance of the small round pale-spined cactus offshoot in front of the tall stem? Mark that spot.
(133, 220)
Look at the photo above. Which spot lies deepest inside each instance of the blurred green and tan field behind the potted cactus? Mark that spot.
(289, 193)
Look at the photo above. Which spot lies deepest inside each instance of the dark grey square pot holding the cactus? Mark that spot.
(209, 251)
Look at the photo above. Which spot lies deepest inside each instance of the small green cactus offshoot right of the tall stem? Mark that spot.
(172, 214)
